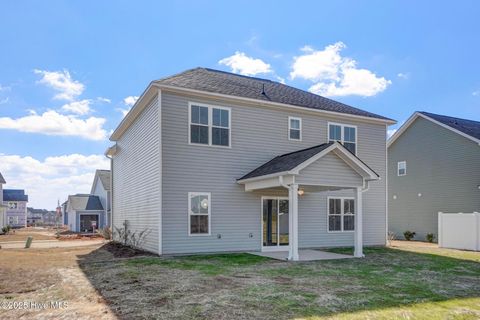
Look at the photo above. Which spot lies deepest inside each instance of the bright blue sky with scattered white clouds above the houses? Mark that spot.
(70, 70)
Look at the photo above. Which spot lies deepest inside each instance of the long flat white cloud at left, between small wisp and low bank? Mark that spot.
(53, 123)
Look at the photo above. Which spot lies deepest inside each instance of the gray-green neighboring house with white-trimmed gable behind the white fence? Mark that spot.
(433, 166)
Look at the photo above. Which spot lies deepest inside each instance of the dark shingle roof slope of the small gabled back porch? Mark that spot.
(286, 161)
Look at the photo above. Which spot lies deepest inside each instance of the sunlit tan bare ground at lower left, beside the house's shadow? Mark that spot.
(49, 276)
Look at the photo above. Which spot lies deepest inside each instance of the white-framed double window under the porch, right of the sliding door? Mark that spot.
(341, 214)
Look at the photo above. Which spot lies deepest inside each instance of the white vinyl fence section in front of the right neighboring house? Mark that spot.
(459, 230)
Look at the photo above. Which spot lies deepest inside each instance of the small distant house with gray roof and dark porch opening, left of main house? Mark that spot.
(85, 213)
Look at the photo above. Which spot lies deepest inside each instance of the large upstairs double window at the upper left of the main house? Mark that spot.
(209, 125)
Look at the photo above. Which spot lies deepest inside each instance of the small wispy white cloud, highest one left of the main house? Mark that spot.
(61, 81)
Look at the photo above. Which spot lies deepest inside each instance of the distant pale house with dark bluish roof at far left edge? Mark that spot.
(16, 201)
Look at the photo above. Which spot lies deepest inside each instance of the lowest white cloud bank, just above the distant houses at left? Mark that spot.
(53, 178)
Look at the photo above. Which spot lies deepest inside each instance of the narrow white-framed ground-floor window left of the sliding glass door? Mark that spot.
(199, 213)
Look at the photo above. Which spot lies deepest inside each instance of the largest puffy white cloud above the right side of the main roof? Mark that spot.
(335, 75)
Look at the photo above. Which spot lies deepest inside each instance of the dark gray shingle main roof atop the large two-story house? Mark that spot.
(227, 83)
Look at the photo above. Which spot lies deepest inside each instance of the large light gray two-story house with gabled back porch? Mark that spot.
(210, 161)
